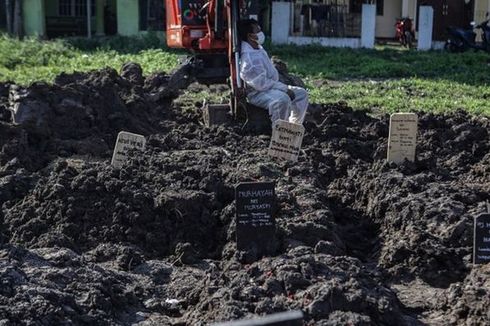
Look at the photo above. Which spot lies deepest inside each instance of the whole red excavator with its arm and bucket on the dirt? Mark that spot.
(208, 30)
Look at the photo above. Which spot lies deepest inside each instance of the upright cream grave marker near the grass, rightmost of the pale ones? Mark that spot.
(402, 140)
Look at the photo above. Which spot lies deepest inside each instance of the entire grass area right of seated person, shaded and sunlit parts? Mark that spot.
(393, 79)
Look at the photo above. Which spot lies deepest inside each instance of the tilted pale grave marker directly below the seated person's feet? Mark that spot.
(286, 140)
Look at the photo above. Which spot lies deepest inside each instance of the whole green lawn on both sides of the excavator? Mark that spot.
(387, 78)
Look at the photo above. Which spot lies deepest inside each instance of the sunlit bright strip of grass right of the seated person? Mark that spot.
(403, 95)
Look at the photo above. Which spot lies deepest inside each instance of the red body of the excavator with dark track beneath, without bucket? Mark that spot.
(206, 29)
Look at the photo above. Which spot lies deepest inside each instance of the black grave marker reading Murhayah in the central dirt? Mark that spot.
(255, 225)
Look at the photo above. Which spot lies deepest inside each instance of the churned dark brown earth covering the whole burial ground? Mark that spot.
(359, 241)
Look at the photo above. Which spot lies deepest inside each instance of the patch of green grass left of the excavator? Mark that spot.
(32, 60)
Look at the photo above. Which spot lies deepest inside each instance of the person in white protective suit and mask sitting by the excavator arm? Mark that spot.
(263, 88)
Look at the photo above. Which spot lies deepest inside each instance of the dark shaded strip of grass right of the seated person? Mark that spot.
(385, 62)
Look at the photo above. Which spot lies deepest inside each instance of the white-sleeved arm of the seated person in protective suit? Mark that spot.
(253, 73)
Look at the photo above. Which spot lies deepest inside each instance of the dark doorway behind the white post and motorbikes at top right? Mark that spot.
(449, 13)
